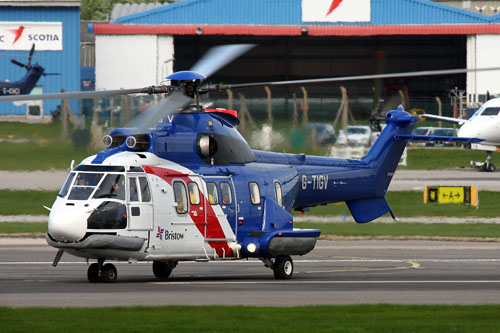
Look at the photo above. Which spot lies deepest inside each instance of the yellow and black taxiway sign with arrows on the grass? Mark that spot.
(467, 195)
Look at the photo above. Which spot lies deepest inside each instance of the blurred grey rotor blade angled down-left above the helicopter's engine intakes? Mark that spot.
(166, 107)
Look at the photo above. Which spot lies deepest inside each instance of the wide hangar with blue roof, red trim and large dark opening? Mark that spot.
(300, 39)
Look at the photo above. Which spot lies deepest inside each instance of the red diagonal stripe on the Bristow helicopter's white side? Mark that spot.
(214, 229)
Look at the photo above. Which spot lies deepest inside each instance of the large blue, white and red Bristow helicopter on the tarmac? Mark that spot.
(180, 183)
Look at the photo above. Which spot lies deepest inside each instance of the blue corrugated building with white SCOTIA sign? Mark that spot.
(54, 27)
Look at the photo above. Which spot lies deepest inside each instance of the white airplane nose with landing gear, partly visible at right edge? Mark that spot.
(484, 124)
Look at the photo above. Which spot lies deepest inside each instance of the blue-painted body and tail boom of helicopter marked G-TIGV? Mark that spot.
(305, 181)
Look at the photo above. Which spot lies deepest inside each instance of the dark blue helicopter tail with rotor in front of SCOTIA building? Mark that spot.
(28, 81)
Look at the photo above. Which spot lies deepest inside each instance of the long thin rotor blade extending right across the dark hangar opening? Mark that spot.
(220, 87)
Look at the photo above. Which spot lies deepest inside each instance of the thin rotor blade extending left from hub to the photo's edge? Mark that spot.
(75, 95)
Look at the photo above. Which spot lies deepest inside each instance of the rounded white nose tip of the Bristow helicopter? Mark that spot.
(65, 225)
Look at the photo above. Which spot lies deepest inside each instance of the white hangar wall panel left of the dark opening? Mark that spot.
(132, 61)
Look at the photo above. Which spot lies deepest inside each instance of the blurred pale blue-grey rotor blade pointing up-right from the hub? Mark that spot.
(219, 56)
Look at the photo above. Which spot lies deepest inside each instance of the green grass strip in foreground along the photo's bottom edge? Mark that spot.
(350, 318)
